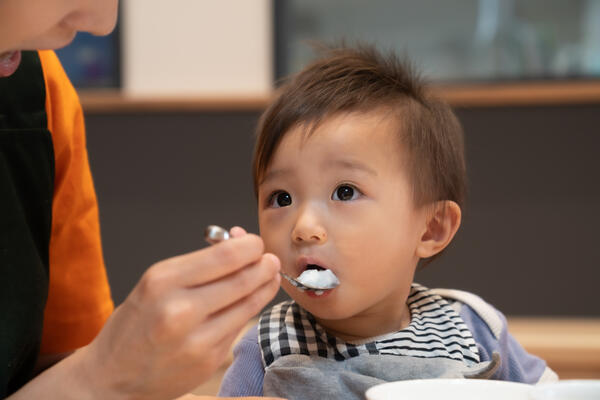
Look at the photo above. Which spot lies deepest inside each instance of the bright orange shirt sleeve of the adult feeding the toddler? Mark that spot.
(79, 300)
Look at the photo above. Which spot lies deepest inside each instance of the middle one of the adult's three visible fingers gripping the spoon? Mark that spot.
(218, 295)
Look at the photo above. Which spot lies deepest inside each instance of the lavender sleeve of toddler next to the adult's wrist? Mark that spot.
(246, 374)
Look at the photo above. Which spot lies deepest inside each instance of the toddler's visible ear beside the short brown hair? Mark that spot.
(441, 227)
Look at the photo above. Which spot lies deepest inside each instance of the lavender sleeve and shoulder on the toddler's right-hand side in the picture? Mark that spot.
(516, 364)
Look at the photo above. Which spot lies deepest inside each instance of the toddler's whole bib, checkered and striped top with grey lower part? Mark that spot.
(302, 361)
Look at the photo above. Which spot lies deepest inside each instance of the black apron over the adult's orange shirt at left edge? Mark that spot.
(26, 191)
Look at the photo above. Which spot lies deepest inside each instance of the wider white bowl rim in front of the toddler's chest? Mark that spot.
(449, 389)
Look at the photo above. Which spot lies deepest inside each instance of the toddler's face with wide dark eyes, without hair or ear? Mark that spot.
(341, 199)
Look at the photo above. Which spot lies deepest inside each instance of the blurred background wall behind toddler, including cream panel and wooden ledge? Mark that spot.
(173, 95)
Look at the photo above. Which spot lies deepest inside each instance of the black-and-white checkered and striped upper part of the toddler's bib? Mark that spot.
(436, 330)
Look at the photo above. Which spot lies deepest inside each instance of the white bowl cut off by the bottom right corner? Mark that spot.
(567, 390)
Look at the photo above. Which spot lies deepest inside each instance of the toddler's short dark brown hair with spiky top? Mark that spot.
(362, 79)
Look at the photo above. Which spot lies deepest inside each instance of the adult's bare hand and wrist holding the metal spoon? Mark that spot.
(175, 328)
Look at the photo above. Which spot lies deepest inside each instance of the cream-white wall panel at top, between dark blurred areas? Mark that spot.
(206, 48)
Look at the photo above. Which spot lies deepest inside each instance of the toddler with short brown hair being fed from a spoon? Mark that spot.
(359, 170)
